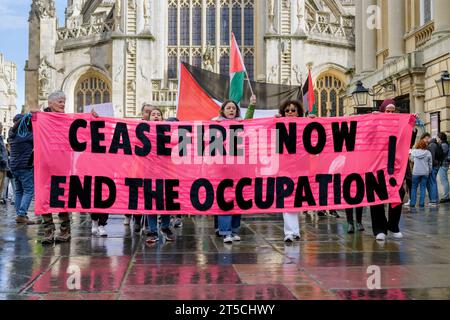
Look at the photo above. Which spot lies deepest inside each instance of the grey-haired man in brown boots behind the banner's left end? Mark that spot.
(56, 103)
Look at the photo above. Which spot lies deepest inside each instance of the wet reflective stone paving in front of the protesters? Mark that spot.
(326, 264)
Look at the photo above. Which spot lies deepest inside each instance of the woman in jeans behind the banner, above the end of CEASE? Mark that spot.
(152, 234)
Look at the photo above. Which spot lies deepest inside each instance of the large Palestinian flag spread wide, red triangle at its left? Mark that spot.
(200, 94)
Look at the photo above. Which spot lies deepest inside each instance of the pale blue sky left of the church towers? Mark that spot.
(14, 36)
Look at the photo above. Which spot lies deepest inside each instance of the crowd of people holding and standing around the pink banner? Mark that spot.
(429, 159)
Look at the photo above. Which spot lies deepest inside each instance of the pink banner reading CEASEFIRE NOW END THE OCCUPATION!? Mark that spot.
(122, 166)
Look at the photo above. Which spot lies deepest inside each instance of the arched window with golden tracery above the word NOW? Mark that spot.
(330, 102)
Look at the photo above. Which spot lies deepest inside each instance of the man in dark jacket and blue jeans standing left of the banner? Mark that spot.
(22, 170)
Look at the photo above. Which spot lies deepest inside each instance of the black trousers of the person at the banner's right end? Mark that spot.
(379, 222)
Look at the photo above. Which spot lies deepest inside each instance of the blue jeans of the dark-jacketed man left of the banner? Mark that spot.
(24, 181)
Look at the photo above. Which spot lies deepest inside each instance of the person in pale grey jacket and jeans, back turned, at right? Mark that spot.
(422, 168)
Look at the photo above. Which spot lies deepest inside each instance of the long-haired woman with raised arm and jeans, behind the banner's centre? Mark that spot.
(228, 225)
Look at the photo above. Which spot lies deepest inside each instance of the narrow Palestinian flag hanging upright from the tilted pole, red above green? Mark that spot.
(237, 72)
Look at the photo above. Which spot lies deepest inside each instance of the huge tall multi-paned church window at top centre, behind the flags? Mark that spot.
(196, 24)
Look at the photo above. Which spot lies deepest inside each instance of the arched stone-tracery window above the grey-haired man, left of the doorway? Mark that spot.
(91, 89)
